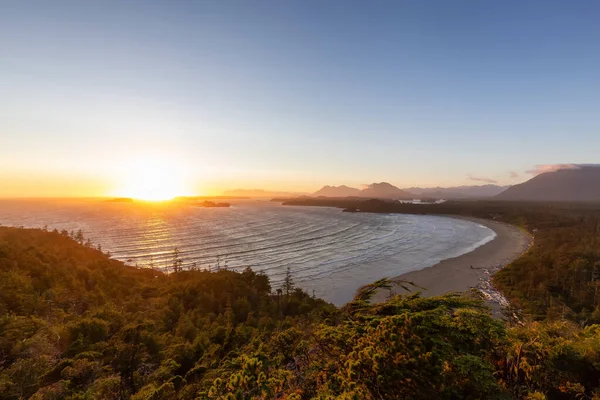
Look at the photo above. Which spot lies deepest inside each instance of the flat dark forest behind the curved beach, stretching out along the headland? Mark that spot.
(558, 278)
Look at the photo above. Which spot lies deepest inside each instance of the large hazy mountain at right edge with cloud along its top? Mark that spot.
(581, 183)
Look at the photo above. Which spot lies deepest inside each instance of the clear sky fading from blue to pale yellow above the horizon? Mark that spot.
(293, 95)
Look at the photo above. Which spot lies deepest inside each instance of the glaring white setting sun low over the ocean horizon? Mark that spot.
(153, 180)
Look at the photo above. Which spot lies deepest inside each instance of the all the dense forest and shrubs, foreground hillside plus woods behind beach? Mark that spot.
(75, 324)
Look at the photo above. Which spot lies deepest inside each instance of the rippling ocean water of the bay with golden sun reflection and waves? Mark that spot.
(329, 252)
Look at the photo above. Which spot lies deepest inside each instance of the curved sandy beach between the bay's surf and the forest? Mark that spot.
(470, 270)
